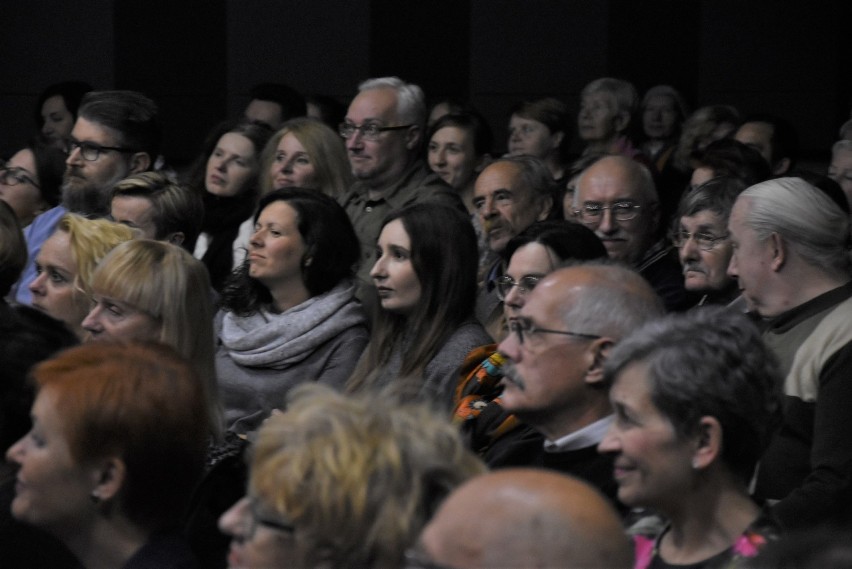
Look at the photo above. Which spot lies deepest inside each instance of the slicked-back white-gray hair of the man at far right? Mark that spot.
(811, 224)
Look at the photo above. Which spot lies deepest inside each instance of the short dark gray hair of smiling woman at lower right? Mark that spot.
(708, 362)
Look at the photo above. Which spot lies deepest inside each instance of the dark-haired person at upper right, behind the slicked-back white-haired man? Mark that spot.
(774, 138)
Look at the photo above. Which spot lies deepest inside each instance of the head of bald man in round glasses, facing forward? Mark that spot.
(612, 181)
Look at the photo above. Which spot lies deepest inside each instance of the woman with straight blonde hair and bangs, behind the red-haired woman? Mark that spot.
(146, 290)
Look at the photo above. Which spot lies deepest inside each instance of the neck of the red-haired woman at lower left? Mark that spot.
(108, 543)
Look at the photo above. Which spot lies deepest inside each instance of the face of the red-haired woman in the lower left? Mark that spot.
(52, 491)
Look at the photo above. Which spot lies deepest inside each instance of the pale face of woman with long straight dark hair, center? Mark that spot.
(393, 273)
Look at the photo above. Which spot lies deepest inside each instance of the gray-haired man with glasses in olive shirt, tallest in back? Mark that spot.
(383, 131)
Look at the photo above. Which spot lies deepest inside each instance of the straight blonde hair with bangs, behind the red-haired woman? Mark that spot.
(168, 283)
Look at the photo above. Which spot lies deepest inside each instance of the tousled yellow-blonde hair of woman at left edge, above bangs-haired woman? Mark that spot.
(90, 240)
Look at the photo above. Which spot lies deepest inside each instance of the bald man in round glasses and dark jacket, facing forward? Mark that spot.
(617, 199)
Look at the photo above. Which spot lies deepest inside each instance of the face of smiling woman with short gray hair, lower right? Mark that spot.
(653, 466)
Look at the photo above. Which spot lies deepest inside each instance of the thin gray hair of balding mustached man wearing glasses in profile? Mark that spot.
(620, 301)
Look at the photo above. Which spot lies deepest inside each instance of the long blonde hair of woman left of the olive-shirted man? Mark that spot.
(324, 148)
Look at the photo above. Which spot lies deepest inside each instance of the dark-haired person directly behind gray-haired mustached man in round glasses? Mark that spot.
(729, 157)
